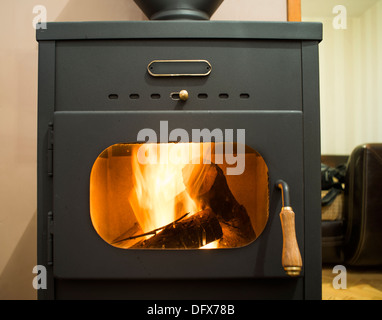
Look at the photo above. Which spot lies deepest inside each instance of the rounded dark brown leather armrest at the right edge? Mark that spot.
(363, 207)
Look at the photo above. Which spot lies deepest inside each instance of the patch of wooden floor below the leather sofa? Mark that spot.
(360, 285)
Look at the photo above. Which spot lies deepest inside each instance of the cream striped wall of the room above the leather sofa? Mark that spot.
(350, 75)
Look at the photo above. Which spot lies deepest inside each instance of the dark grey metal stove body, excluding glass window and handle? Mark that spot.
(100, 83)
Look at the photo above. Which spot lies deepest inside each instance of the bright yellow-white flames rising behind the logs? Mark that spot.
(159, 196)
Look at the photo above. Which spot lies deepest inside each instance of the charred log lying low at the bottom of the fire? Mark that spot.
(191, 233)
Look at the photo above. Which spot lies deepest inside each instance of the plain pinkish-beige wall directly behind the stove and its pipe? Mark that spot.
(18, 121)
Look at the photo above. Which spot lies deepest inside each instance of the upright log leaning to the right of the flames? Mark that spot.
(208, 185)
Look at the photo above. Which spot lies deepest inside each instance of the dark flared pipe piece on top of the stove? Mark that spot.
(178, 9)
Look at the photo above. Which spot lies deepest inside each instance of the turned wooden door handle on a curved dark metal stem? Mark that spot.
(291, 257)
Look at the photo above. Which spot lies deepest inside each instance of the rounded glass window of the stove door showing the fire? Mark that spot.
(179, 195)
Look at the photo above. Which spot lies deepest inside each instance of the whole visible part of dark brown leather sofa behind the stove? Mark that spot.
(352, 232)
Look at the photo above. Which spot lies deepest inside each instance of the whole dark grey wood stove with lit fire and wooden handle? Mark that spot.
(166, 151)
